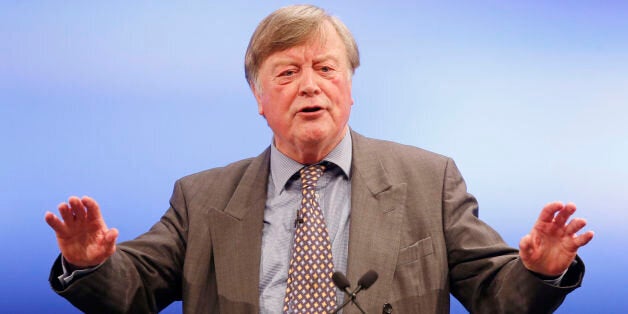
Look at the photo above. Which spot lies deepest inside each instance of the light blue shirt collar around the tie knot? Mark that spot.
(282, 167)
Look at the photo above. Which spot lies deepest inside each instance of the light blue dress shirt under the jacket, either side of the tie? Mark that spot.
(283, 199)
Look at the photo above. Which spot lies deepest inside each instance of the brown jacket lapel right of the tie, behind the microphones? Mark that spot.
(376, 216)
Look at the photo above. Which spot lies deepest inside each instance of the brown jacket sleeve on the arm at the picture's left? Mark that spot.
(142, 276)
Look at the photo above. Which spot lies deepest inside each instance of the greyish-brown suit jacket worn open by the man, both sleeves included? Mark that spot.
(412, 221)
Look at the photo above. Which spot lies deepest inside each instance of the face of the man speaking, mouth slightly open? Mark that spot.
(304, 93)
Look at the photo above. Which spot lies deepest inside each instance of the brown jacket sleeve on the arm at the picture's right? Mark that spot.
(486, 275)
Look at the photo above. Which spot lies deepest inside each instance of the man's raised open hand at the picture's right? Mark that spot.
(552, 245)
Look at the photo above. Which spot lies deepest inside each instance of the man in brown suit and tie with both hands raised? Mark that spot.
(231, 240)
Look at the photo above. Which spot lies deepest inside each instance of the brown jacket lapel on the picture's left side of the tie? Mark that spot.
(237, 238)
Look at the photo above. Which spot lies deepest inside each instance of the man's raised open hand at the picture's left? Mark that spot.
(82, 236)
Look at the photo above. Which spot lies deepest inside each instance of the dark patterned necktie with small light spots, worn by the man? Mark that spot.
(310, 288)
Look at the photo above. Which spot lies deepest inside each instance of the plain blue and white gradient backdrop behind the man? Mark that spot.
(119, 99)
